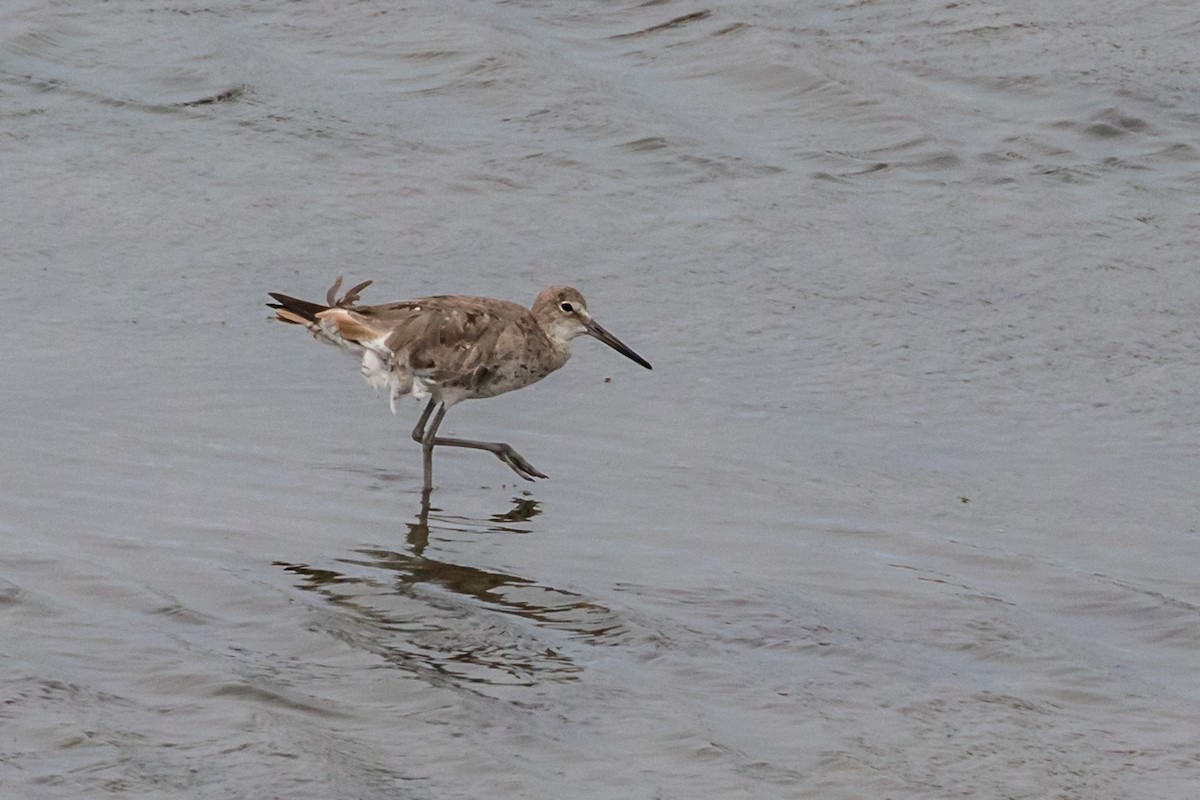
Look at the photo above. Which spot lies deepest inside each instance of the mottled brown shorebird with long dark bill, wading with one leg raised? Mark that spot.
(451, 348)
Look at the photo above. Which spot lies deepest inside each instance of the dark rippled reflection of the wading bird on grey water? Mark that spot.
(452, 623)
